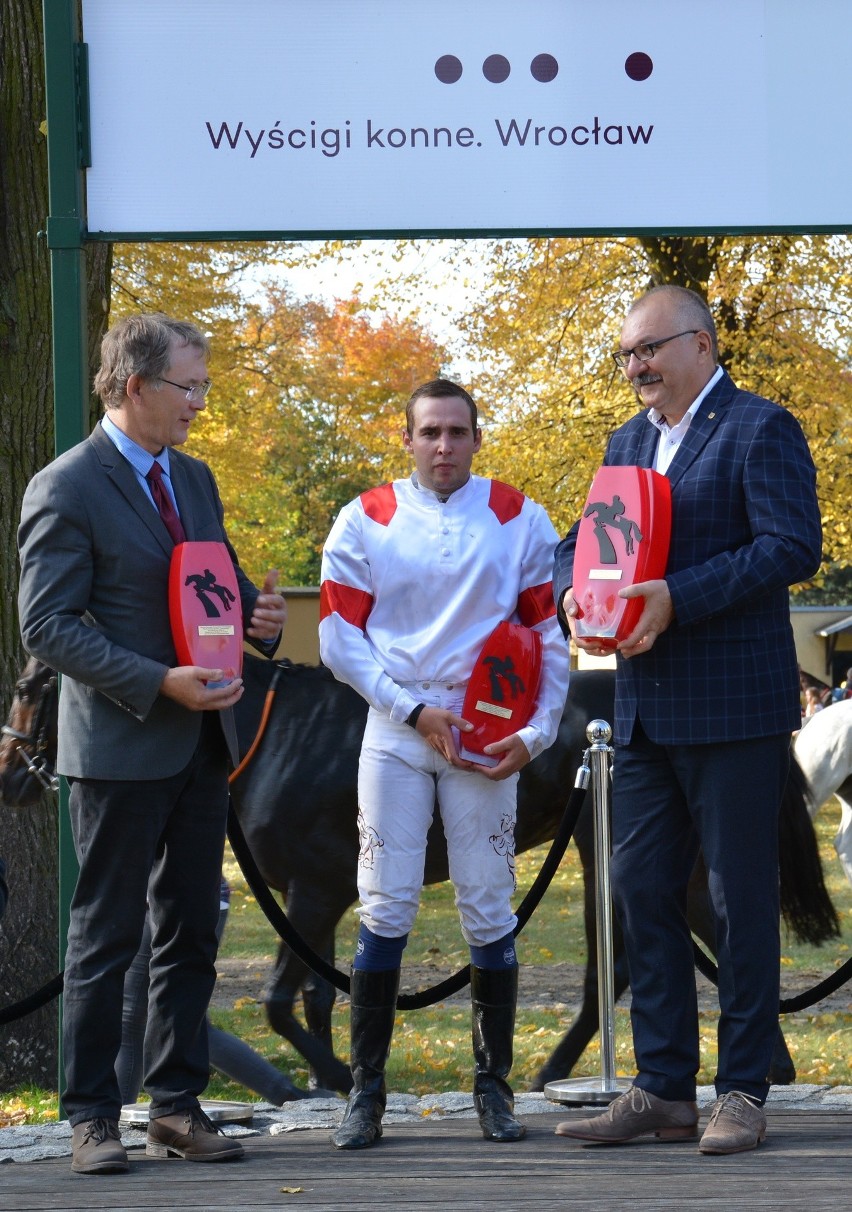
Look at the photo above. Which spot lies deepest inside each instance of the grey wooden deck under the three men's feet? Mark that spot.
(807, 1163)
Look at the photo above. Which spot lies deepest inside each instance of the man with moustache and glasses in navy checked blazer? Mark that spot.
(702, 735)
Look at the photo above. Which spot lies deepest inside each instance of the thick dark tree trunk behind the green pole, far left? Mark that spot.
(28, 838)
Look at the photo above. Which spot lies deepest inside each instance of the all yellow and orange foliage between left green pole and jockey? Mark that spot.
(307, 405)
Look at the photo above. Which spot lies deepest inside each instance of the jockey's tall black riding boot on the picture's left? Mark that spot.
(371, 1025)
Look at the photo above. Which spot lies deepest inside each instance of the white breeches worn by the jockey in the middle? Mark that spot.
(401, 780)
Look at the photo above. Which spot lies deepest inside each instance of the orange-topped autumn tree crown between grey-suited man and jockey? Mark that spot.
(319, 391)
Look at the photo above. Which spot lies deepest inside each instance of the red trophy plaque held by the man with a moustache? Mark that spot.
(624, 540)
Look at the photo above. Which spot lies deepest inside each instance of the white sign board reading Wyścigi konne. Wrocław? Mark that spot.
(308, 117)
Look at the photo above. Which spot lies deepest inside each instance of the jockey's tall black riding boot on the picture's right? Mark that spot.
(494, 997)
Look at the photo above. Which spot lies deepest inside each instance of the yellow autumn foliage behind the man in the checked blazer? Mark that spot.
(550, 315)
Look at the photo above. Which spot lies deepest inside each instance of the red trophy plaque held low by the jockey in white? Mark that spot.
(502, 691)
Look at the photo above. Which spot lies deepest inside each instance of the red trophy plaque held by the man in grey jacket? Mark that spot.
(205, 610)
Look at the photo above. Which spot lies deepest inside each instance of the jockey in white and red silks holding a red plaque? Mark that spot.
(427, 585)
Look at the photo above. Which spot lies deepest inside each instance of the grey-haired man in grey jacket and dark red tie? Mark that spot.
(144, 742)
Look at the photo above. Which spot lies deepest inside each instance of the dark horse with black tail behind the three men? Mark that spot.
(298, 805)
